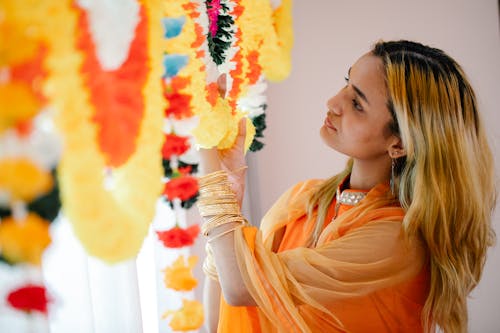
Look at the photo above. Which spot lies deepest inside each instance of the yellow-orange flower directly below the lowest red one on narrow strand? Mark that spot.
(179, 276)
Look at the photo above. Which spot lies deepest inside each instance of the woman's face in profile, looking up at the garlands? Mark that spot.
(357, 119)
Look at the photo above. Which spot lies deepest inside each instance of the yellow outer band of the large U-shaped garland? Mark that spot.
(111, 223)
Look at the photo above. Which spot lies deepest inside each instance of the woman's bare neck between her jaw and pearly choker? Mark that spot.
(365, 175)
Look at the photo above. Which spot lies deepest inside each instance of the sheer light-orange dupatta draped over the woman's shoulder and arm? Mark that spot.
(361, 252)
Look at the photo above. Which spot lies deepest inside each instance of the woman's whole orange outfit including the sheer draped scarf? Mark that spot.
(363, 275)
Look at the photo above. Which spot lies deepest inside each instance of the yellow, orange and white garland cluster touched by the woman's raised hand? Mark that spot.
(252, 41)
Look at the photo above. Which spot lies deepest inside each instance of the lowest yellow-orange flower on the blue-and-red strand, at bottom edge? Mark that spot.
(189, 317)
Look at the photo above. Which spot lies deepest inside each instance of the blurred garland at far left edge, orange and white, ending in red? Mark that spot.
(29, 153)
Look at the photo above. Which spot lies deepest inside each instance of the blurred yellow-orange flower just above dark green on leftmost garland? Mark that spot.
(23, 180)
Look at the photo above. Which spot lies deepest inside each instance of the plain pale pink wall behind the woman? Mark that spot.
(329, 36)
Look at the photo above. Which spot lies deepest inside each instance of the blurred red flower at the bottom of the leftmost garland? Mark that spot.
(29, 298)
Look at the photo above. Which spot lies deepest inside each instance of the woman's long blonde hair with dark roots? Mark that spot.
(446, 183)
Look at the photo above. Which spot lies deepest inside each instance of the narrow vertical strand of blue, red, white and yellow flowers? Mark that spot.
(182, 75)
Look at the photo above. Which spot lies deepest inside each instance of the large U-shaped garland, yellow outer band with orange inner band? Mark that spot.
(110, 198)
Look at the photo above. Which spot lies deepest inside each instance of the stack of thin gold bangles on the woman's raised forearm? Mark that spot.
(218, 206)
